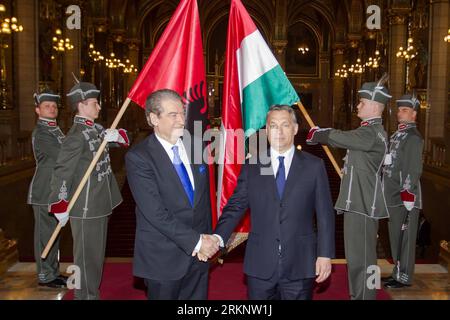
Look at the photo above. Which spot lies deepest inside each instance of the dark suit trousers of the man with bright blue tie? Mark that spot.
(193, 286)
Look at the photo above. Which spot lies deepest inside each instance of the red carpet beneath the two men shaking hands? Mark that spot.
(227, 282)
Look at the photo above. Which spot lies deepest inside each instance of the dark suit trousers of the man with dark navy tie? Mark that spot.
(278, 287)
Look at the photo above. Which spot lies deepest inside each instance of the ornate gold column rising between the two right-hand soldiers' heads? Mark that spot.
(398, 35)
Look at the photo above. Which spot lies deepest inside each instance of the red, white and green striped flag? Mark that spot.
(253, 82)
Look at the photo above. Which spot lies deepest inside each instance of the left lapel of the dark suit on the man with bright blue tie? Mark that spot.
(162, 161)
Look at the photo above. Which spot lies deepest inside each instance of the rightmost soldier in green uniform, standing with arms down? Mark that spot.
(401, 178)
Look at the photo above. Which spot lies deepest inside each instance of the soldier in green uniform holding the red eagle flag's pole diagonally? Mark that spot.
(100, 195)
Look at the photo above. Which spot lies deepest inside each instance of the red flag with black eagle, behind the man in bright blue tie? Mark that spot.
(176, 63)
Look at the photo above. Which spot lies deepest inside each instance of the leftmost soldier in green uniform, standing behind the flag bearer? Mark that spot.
(46, 139)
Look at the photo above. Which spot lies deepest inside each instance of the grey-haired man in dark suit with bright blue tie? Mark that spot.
(173, 209)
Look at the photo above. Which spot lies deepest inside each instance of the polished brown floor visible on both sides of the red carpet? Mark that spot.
(432, 282)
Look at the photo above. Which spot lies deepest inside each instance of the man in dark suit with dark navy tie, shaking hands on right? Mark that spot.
(284, 251)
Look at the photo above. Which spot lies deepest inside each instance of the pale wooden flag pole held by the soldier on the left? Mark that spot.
(85, 177)
